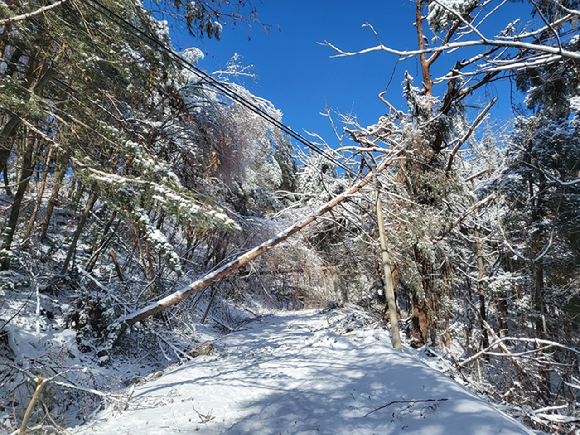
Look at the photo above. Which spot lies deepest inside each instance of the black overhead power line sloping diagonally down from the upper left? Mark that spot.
(221, 87)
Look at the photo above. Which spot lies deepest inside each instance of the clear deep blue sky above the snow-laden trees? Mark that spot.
(297, 74)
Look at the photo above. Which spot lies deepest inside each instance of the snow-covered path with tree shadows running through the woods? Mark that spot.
(295, 374)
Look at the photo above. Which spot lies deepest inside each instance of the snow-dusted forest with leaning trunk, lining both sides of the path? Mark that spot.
(142, 195)
